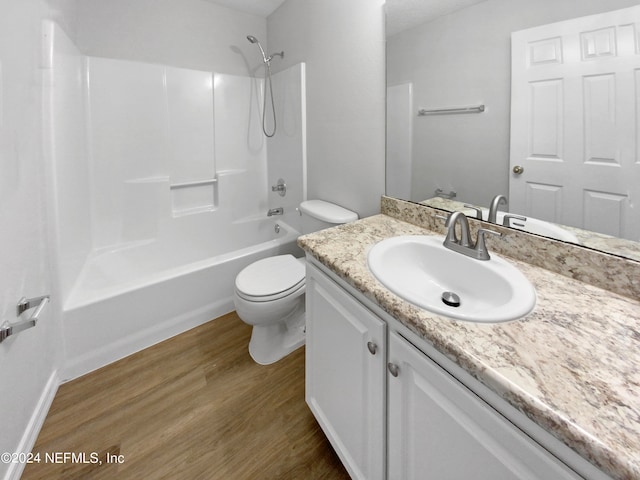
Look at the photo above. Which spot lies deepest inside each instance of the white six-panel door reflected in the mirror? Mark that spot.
(574, 125)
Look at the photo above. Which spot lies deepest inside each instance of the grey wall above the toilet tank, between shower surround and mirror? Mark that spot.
(342, 44)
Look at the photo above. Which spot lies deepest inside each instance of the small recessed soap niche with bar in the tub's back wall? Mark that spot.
(191, 197)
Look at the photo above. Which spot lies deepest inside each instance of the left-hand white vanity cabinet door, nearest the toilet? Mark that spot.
(345, 372)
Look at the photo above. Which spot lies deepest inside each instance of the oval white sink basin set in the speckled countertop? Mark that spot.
(420, 270)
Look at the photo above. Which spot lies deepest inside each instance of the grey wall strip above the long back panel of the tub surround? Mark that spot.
(187, 33)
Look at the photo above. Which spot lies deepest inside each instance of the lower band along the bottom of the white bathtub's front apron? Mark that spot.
(123, 347)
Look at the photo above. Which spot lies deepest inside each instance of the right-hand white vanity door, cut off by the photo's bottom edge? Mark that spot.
(440, 430)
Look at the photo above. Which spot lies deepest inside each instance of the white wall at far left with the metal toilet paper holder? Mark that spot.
(30, 359)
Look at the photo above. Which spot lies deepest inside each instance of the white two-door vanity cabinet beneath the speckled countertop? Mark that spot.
(390, 411)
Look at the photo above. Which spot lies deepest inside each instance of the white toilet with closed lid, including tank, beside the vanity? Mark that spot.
(269, 293)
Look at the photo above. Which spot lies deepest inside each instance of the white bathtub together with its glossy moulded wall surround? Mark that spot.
(172, 203)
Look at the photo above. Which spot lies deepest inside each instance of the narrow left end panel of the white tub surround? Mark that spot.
(65, 150)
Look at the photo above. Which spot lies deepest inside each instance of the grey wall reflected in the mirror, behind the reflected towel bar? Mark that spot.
(461, 59)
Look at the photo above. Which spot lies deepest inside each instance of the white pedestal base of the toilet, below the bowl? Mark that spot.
(270, 343)
